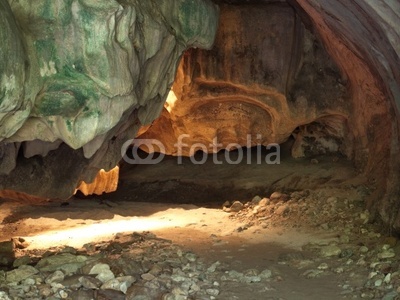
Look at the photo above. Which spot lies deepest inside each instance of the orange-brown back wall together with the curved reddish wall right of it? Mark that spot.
(321, 70)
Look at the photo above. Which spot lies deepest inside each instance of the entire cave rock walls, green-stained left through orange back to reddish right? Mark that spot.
(79, 78)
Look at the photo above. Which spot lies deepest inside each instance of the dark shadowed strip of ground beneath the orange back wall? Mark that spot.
(213, 179)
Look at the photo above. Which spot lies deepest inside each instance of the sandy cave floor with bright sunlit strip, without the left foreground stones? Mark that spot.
(316, 239)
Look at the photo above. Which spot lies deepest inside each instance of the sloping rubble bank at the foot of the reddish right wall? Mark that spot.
(364, 258)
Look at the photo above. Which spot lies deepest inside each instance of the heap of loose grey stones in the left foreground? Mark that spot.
(132, 267)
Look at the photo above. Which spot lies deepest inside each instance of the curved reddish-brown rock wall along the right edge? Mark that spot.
(363, 37)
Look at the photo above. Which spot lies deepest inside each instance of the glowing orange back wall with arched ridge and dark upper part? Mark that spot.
(267, 77)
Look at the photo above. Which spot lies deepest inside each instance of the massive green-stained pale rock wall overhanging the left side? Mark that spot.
(80, 77)
